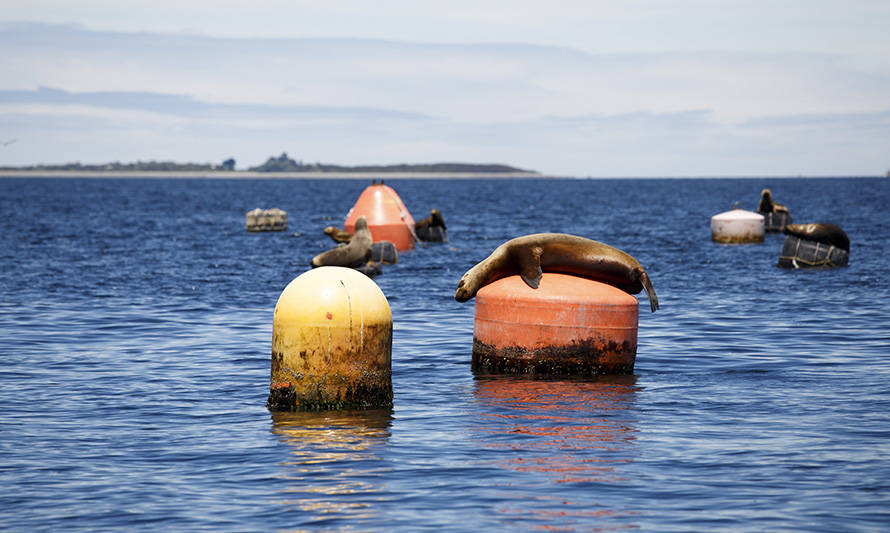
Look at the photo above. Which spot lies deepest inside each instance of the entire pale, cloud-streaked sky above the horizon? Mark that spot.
(570, 88)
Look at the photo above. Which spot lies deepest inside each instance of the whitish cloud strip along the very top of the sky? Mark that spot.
(606, 26)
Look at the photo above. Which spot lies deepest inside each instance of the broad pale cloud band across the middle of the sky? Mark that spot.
(458, 82)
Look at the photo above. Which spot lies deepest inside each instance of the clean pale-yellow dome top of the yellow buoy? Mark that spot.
(332, 296)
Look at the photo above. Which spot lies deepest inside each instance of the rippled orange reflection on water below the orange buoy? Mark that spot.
(561, 431)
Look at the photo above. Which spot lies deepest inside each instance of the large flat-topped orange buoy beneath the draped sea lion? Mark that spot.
(567, 326)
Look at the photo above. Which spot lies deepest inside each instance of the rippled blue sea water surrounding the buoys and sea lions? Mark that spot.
(135, 343)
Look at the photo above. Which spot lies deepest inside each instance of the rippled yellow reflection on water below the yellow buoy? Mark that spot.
(335, 471)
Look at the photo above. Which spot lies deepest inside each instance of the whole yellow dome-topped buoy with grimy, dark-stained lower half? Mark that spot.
(331, 343)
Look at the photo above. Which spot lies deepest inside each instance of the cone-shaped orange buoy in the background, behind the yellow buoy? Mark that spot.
(388, 218)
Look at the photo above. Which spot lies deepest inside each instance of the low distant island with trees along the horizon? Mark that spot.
(282, 163)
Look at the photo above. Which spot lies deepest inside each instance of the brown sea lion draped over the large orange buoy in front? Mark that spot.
(530, 255)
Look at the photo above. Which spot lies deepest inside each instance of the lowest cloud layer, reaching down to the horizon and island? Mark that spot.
(690, 143)
